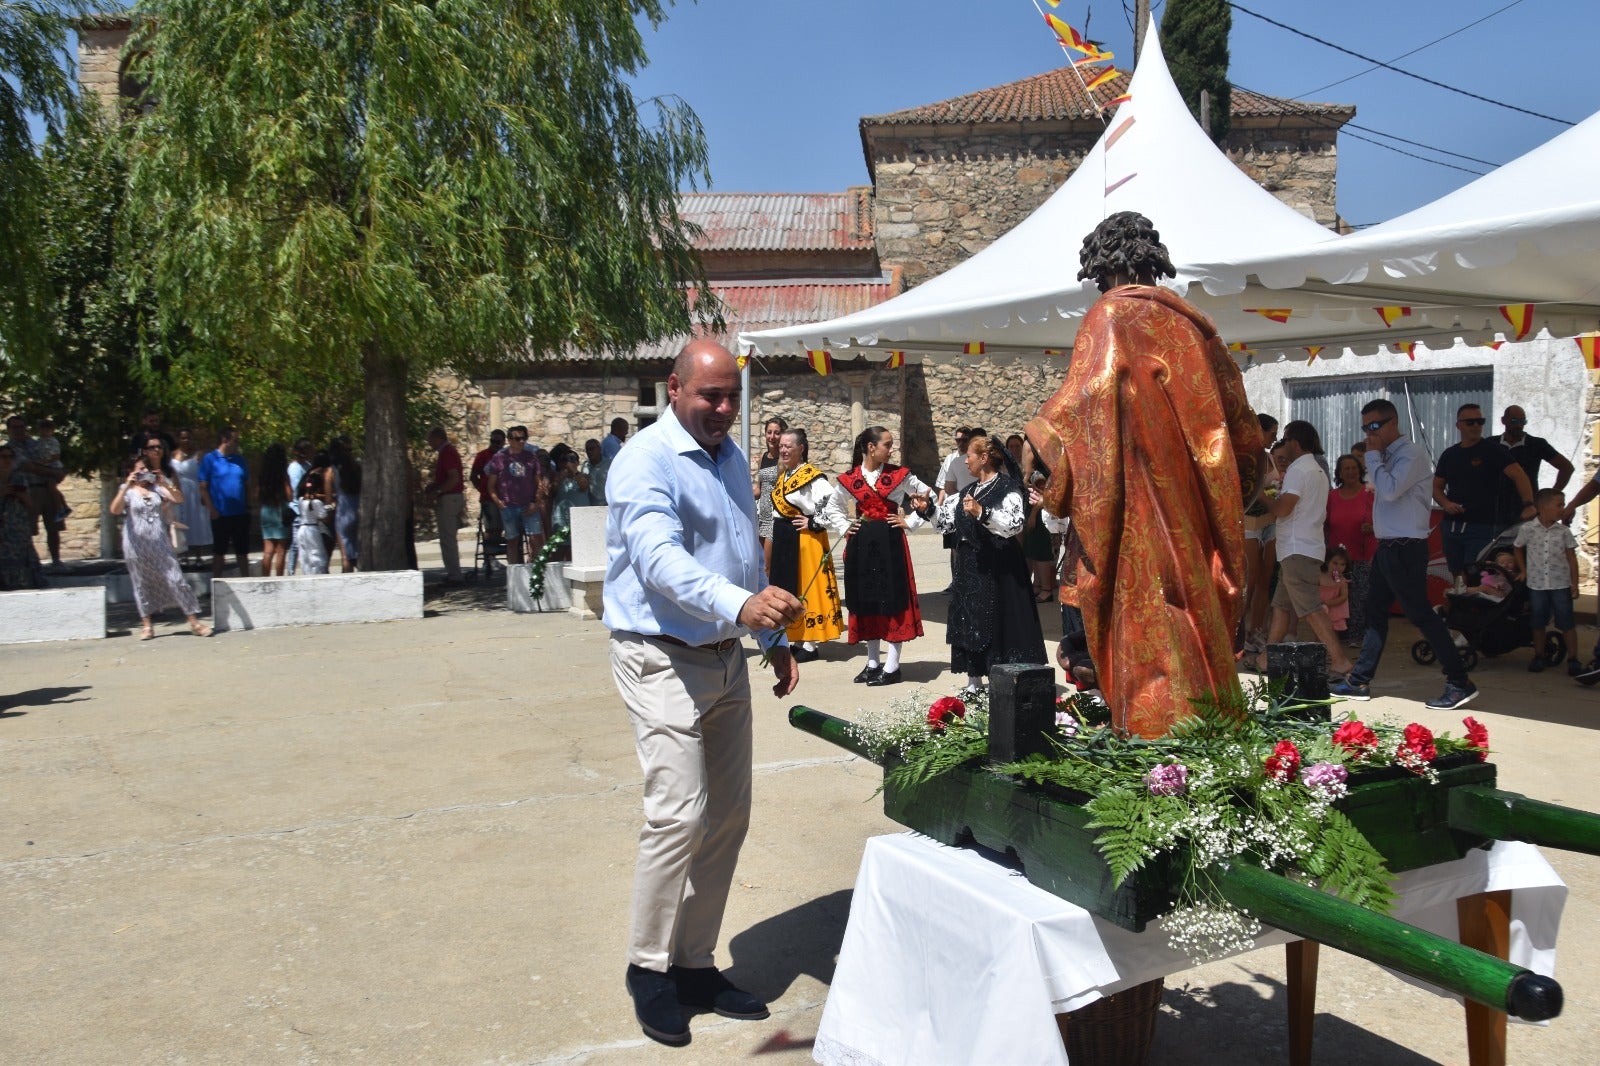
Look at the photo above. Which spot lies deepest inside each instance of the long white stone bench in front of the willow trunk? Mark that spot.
(316, 599)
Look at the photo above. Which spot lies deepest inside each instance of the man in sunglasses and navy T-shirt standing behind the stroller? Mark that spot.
(1468, 491)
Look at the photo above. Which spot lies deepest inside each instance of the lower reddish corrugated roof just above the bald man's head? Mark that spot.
(785, 302)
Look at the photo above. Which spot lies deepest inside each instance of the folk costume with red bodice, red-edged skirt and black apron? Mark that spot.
(881, 588)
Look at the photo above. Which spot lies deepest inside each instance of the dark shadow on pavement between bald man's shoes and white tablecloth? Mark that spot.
(774, 953)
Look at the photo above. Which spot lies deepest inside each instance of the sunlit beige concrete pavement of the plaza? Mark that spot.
(412, 843)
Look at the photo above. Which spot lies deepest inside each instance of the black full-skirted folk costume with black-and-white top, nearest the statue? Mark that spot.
(993, 617)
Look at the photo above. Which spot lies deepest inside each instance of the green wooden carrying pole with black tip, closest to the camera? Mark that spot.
(1446, 964)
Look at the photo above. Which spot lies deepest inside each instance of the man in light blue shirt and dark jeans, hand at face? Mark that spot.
(1398, 470)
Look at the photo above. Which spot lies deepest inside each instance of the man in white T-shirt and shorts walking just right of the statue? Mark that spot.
(1302, 510)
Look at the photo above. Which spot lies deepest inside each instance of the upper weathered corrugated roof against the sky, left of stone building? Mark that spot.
(782, 222)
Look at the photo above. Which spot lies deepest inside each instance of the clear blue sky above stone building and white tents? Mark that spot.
(782, 87)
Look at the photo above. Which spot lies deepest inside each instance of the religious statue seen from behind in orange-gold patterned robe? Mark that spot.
(1153, 452)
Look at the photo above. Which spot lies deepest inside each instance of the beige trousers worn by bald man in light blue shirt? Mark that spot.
(692, 727)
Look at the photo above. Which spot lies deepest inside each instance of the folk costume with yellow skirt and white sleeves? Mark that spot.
(801, 558)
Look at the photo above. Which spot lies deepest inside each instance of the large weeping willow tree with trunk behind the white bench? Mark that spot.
(362, 191)
